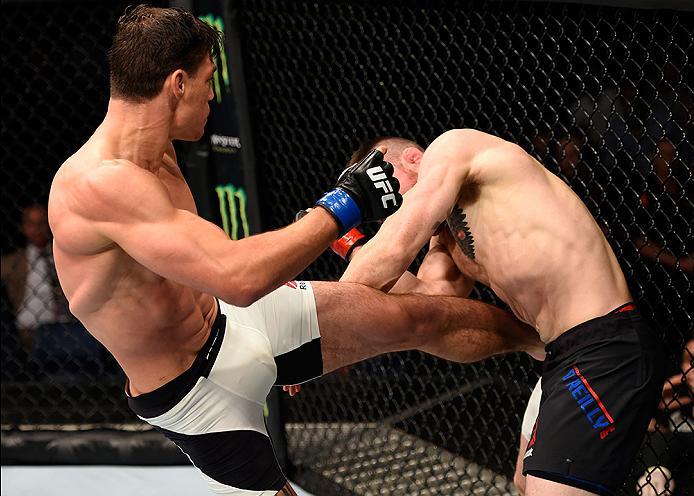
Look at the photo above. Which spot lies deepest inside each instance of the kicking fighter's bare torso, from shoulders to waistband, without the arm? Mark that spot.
(152, 326)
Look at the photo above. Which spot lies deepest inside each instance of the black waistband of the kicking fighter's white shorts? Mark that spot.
(165, 397)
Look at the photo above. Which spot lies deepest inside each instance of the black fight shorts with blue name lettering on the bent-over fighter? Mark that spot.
(601, 383)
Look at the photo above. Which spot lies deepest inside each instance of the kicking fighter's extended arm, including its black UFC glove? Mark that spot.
(131, 207)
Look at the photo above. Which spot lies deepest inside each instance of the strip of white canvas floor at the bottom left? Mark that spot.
(104, 481)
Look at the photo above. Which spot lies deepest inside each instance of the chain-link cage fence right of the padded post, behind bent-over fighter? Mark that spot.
(601, 96)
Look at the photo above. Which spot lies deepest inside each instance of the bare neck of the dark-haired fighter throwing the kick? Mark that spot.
(138, 132)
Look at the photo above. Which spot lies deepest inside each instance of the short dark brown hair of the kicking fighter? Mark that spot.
(153, 42)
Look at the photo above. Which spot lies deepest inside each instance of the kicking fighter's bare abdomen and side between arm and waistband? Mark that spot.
(152, 326)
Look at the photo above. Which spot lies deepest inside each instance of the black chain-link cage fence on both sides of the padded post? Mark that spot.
(602, 96)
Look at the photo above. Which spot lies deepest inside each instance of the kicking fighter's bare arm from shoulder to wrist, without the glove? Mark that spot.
(130, 207)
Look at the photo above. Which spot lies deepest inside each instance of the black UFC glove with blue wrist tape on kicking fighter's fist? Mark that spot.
(365, 191)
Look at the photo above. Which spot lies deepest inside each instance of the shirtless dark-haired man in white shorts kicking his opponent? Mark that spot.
(202, 325)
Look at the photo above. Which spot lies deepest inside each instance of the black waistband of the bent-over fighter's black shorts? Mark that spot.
(589, 330)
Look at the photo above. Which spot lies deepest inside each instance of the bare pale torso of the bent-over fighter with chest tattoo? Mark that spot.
(529, 238)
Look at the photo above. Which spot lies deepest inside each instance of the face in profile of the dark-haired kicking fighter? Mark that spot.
(193, 108)
